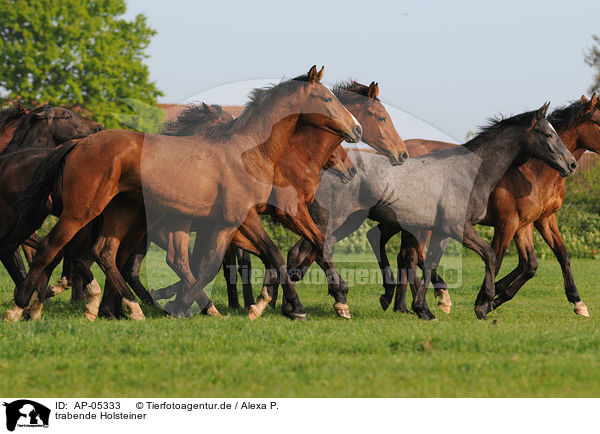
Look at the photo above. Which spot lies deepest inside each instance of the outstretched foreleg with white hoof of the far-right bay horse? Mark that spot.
(548, 228)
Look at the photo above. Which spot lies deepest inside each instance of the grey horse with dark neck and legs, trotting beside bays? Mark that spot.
(425, 195)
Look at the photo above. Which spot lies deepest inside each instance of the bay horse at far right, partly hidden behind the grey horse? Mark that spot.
(527, 196)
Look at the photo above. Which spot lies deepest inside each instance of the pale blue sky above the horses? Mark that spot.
(451, 64)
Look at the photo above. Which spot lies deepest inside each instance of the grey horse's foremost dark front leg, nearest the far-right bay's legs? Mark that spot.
(472, 240)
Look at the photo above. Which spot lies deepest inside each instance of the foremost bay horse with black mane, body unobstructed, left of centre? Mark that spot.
(234, 166)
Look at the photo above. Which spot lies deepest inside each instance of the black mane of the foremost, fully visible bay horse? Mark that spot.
(260, 101)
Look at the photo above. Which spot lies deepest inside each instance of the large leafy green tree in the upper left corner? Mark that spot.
(75, 53)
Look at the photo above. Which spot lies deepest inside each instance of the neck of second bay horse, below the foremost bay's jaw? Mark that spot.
(314, 146)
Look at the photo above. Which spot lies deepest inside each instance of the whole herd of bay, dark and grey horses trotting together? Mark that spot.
(114, 192)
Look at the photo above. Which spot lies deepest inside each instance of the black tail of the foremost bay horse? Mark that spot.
(43, 181)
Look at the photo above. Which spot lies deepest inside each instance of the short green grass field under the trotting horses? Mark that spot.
(532, 346)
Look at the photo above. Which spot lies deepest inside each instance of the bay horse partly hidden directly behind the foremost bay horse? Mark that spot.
(296, 182)
